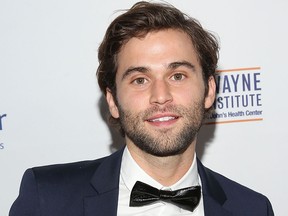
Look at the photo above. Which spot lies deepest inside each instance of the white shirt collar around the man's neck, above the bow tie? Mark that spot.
(132, 172)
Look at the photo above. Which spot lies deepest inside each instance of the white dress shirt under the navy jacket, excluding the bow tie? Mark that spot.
(130, 173)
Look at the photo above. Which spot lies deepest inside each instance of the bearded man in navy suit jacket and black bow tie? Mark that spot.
(157, 68)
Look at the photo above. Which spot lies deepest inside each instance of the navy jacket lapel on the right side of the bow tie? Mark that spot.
(213, 195)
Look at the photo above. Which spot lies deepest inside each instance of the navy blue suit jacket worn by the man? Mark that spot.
(90, 188)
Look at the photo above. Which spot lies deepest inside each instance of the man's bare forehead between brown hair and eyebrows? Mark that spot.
(157, 48)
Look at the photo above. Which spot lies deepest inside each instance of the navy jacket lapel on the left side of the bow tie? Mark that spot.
(106, 184)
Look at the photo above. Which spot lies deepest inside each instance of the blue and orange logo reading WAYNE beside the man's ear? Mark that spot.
(239, 96)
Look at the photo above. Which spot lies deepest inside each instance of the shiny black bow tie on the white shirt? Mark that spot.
(186, 198)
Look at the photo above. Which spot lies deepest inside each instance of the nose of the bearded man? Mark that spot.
(160, 93)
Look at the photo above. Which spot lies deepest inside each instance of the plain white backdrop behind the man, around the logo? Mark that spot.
(50, 102)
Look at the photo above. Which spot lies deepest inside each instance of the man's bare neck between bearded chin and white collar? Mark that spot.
(165, 170)
